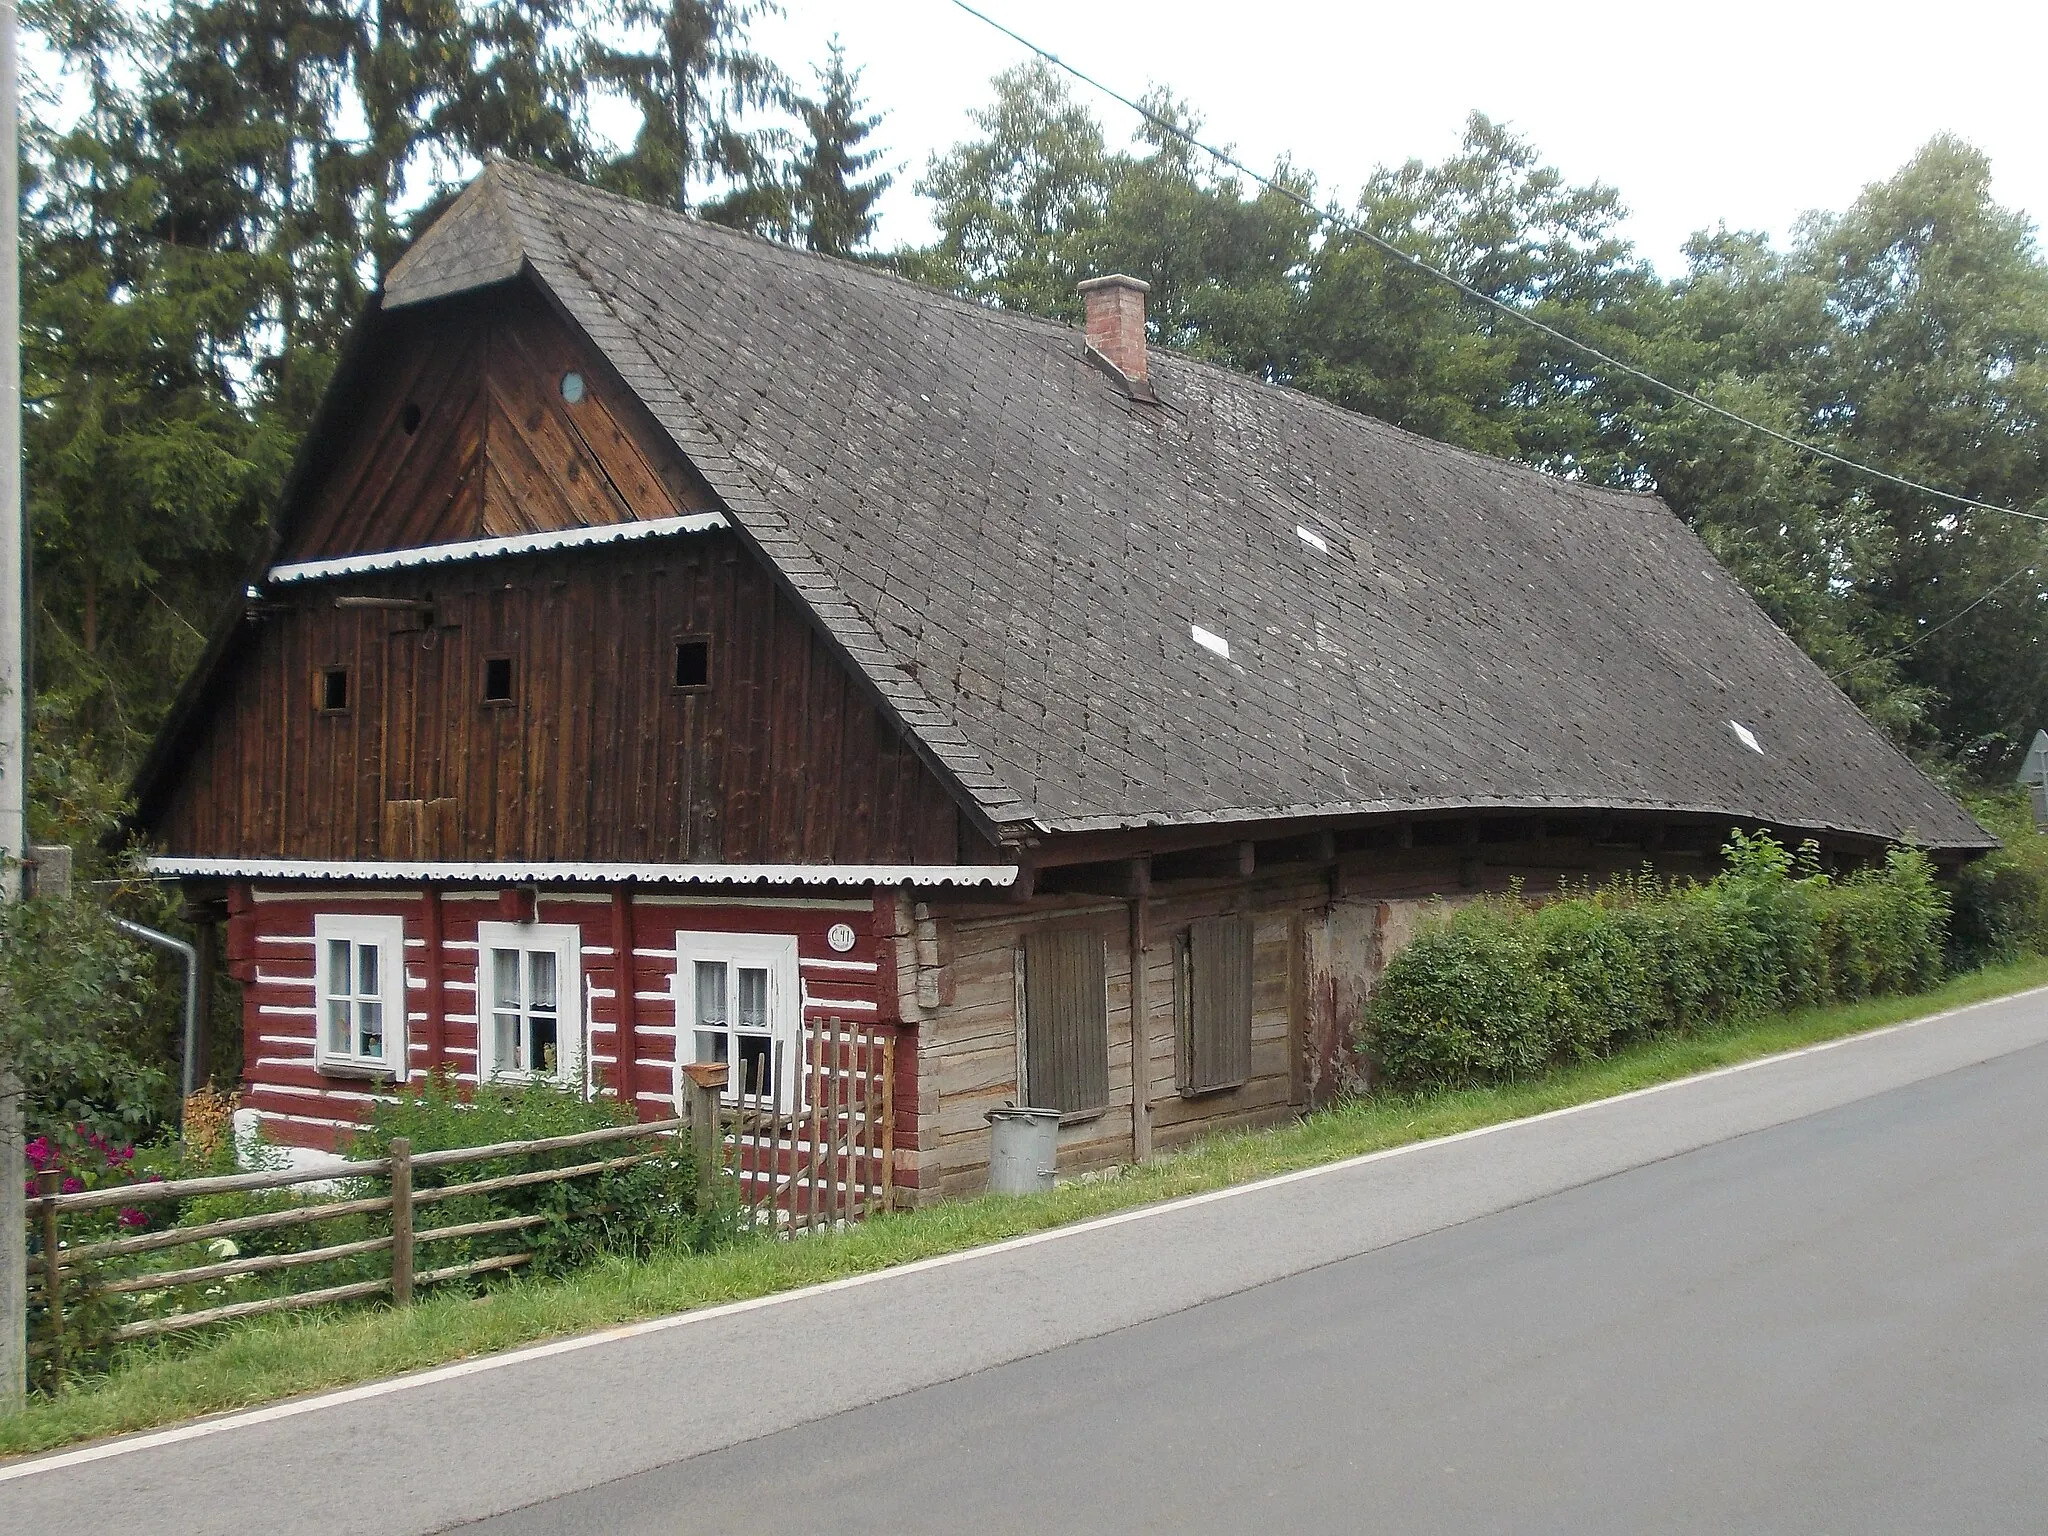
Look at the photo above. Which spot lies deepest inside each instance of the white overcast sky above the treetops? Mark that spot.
(1736, 114)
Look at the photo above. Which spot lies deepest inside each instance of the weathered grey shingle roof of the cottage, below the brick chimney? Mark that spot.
(1017, 556)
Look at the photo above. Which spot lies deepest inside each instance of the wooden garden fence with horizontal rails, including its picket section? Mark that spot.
(820, 1164)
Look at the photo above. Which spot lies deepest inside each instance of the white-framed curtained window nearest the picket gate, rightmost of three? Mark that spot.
(738, 1000)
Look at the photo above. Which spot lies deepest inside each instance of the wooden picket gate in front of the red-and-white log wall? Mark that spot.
(830, 1160)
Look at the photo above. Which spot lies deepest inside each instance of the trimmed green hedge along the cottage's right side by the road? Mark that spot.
(1506, 988)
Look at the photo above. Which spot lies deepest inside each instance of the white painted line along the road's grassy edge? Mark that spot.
(919, 1267)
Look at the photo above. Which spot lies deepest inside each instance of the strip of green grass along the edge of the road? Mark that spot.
(284, 1357)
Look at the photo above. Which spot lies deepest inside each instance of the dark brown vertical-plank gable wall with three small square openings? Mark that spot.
(595, 757)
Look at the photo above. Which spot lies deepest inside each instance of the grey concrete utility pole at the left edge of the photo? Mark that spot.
(13, 720)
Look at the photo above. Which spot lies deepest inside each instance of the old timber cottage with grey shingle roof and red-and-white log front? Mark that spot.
(671, 640)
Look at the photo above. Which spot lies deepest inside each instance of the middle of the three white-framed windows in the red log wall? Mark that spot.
(529, 1002)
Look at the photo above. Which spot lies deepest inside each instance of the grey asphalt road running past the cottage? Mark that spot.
(1803, 1297)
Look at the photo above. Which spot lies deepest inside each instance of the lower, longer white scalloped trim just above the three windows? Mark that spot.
(564, 873)
